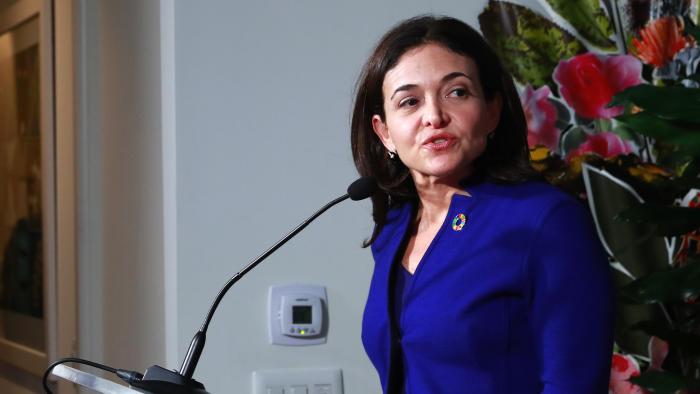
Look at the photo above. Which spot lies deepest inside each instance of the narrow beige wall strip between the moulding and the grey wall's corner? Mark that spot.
(132, 181)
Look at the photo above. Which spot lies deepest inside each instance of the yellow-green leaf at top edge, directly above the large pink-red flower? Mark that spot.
(588, 19)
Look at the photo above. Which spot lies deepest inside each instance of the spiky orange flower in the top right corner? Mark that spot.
(660, 41)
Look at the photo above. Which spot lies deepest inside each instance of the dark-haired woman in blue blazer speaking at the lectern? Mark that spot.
(485, 280)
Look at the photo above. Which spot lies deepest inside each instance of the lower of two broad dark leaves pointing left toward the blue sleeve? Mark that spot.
(672, 286)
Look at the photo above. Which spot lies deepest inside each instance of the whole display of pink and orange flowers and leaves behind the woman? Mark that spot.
(611, 93)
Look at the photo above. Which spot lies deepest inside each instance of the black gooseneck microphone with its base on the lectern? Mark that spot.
(157, 379)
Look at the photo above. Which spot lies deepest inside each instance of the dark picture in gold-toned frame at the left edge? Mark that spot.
(27, 190)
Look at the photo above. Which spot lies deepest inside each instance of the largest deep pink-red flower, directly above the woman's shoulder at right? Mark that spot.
(588, 82)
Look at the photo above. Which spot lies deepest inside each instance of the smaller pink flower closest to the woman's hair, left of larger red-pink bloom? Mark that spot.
(541, 117)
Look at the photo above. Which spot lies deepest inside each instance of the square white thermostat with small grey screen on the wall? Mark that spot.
(297, 315)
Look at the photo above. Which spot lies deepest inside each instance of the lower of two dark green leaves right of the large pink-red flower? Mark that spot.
(685, 136)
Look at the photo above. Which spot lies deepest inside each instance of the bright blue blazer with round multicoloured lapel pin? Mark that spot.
(519, 299)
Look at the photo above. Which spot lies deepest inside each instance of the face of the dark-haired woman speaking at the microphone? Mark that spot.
(436, 116)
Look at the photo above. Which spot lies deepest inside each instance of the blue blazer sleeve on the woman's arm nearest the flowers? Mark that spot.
(571, 301)
